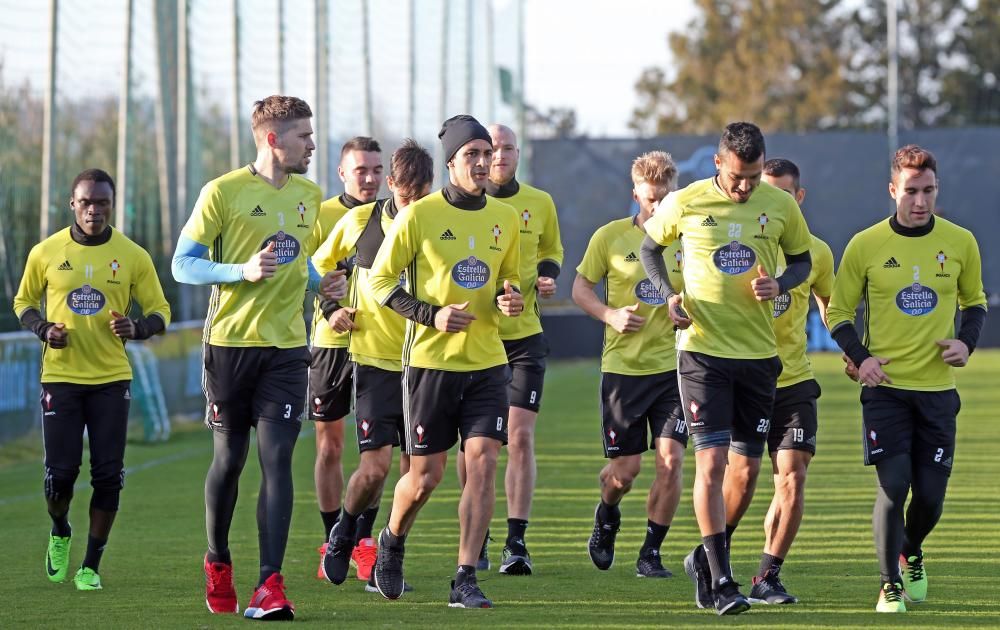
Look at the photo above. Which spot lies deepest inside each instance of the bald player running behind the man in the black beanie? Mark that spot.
(524, 342)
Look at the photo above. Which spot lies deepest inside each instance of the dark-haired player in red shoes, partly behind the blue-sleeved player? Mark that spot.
(331, 373)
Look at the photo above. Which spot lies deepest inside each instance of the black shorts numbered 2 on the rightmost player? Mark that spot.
(898, 421)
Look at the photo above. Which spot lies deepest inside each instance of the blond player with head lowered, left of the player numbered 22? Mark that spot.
(640, 402)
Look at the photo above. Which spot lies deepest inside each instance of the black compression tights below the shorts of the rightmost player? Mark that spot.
(897, 477)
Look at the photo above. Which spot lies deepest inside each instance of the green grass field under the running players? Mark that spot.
(153, 577)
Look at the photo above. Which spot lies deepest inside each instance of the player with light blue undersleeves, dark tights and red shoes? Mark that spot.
(258, 224)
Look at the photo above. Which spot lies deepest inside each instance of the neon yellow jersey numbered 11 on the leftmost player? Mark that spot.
(79, 285)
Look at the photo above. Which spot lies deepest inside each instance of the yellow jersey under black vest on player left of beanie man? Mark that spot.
(377, 339)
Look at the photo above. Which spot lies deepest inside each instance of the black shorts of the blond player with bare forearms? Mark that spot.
(631, 404)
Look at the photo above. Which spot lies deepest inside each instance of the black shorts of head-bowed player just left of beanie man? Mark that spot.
(378, 407)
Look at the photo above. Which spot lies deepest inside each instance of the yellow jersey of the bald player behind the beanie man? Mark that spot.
(539, 242)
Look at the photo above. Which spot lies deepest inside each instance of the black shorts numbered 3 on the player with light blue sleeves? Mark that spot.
(246, 385)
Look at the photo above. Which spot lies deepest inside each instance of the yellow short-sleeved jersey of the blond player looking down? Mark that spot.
(613, 256)
